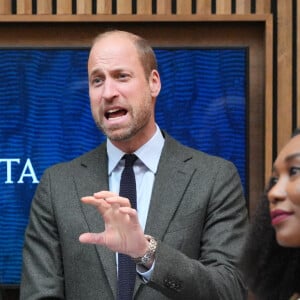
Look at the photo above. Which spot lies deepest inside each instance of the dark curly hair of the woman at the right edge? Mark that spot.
(270, 270)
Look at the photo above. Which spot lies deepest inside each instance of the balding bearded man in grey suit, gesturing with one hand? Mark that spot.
(188, 230)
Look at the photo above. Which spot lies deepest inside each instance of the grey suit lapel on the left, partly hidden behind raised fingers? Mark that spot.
(93, 178)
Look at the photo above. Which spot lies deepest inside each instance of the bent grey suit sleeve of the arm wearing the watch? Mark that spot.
(214, 274)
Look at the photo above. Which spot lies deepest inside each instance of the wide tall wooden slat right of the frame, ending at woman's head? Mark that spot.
(284, 80)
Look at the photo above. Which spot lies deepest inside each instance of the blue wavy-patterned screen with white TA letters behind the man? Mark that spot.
(45, 118)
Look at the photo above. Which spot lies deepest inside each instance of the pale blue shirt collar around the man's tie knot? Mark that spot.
(149, 153)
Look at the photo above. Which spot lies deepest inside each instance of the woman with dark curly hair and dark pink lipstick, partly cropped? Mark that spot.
(271, 257)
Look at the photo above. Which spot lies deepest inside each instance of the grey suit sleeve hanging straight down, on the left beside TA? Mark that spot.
(42, 272)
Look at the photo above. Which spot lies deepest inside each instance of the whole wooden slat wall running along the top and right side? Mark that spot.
(282, 112)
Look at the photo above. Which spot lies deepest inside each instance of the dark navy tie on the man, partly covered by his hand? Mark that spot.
(127, 268)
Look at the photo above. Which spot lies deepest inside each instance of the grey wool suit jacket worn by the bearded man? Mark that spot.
(197, 213)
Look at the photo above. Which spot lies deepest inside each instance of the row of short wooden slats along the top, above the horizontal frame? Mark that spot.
(203, 7)
